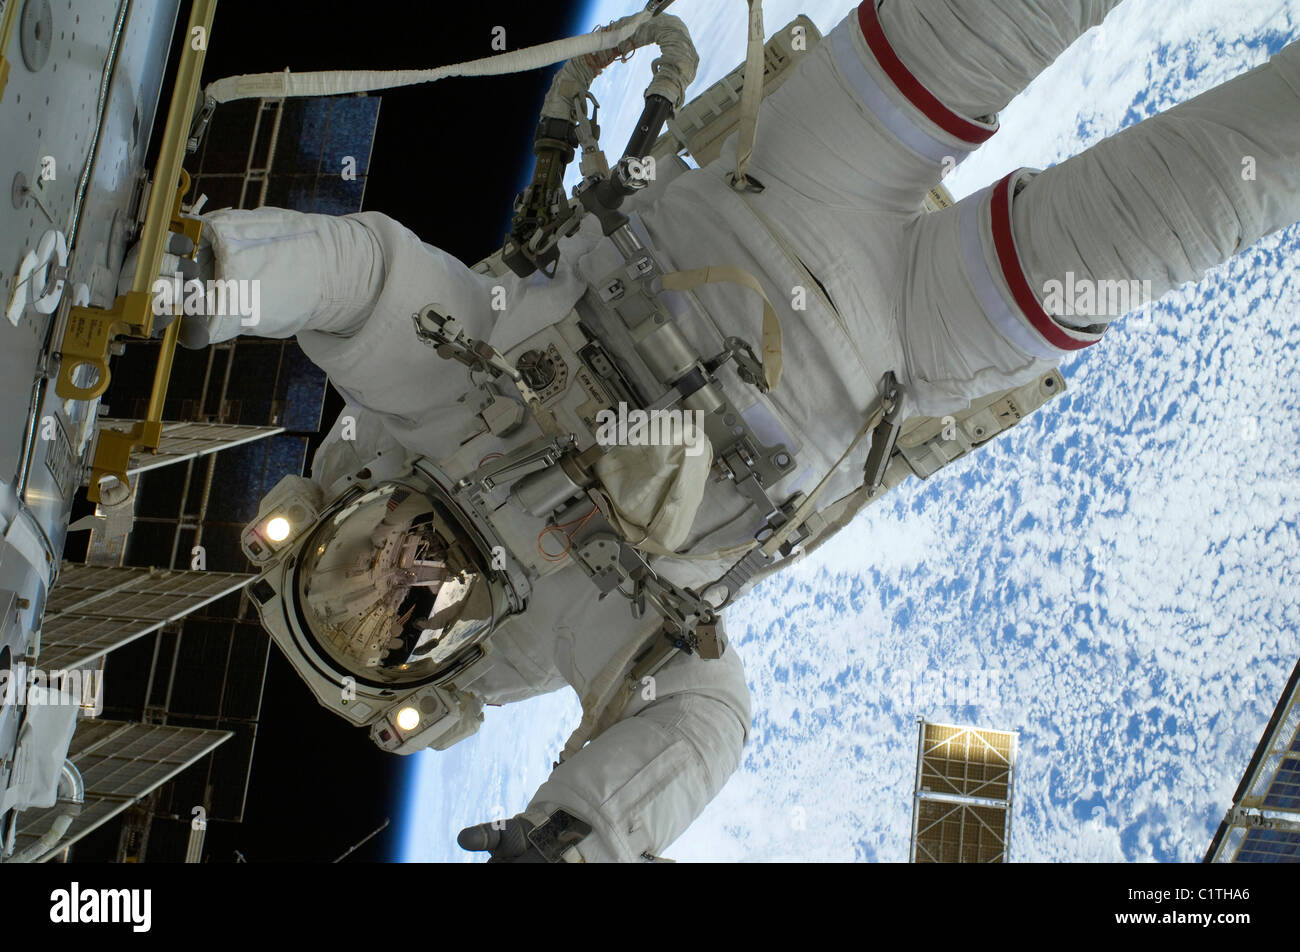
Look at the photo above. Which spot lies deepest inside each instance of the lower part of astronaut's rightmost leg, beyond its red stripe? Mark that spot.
(1167, 200)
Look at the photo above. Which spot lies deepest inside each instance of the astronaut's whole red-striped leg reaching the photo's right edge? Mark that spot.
(991, 300)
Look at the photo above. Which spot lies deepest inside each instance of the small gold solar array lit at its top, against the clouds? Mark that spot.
(964, 794)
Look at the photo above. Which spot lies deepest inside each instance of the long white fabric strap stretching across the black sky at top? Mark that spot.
(344, 81)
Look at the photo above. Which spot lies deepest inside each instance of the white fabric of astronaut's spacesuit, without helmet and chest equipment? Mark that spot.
(952, 304)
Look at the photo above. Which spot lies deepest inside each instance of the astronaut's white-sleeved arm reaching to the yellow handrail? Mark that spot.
(346, 287)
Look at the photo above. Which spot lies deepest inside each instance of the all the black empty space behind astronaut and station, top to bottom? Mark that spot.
(448, 162)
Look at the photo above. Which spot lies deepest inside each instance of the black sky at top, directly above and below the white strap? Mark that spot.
(449, 157)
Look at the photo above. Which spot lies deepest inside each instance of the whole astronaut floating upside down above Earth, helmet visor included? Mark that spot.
(908, 315)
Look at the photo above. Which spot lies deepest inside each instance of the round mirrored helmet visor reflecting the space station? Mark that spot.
(391, 590)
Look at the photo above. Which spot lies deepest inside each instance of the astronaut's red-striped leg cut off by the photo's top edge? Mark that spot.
(894, 99)
